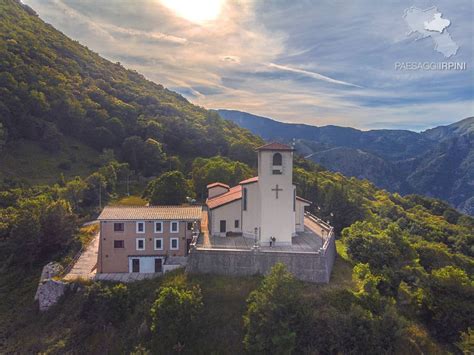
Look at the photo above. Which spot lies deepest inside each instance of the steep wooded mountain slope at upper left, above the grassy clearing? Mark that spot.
(53, 88)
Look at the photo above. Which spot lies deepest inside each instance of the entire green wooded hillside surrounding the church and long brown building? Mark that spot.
(402, 282)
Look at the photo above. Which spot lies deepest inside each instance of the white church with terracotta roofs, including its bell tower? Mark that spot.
(265, 207)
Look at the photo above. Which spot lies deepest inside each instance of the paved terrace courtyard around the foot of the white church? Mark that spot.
(310, 240)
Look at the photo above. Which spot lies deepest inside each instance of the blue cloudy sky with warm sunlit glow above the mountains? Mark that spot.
(316, 62)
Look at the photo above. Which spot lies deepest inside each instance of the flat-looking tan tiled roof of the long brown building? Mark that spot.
(150, 213)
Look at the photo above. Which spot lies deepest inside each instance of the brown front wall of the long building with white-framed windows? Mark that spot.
(113, 259)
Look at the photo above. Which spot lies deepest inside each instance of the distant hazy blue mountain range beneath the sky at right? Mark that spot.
(438, 162)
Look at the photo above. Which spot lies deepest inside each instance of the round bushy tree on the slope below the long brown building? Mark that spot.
(175, 314)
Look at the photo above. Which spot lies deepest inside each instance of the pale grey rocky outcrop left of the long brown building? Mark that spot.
(50, 290)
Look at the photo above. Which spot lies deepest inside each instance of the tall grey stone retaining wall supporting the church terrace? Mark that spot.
(311, 267)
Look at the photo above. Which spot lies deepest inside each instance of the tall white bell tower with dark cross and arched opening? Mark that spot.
(275, 180)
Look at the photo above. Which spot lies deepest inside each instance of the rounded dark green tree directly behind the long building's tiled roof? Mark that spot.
(171, 188)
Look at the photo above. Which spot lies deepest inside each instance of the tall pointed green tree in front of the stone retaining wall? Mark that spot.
(274, 314)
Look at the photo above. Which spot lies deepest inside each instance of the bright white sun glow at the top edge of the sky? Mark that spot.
(197, 11)
